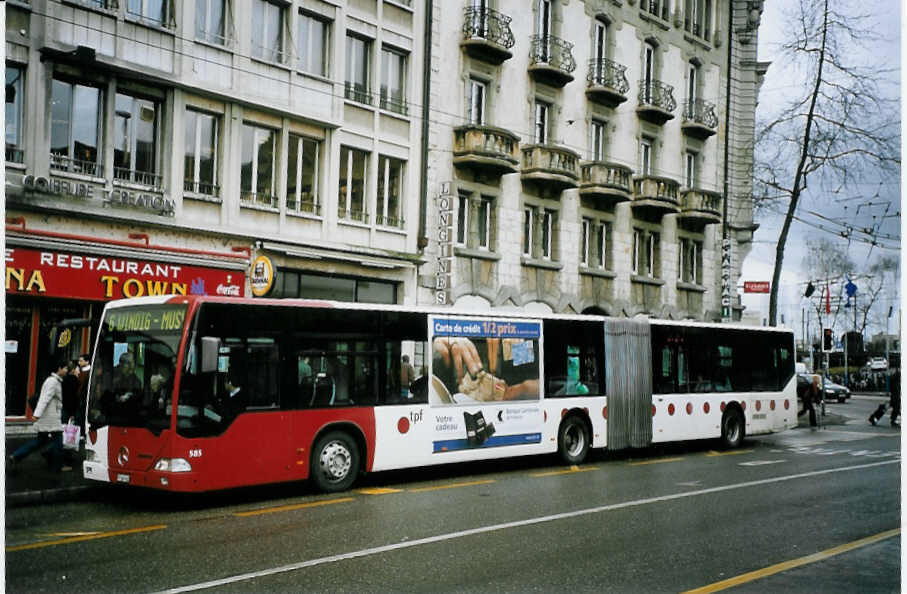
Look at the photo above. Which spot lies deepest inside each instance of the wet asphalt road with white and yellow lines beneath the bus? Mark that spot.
(801, 511)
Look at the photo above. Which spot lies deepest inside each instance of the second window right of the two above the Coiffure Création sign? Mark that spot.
(257, 175)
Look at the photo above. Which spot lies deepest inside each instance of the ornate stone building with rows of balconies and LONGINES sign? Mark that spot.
(578, 155)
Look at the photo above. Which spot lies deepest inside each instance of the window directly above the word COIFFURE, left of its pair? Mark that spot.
(75, 128)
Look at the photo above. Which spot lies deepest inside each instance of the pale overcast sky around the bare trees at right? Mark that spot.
(869, 206)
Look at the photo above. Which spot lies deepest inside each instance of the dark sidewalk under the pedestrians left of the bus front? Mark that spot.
(33, 482)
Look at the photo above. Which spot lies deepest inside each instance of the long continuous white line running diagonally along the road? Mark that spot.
(506, 526)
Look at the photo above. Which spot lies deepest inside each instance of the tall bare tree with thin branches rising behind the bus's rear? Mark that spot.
(839, 131)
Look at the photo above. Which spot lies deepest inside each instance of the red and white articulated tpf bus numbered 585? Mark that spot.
(207, 393)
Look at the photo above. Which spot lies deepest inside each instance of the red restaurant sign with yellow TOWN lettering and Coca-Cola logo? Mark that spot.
(50, 273)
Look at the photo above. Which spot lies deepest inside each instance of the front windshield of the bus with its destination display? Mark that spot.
(134, 365)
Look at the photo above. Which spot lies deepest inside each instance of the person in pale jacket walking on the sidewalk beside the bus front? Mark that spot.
(48, 425)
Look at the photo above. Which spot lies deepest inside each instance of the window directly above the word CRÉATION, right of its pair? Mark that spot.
(135, 141)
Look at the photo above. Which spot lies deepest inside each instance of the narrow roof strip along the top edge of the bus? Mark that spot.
(432, 310)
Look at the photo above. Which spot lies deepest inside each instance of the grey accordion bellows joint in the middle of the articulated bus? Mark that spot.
(628, 362)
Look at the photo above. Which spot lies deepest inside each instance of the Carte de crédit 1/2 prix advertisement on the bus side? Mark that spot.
(478, 366)
